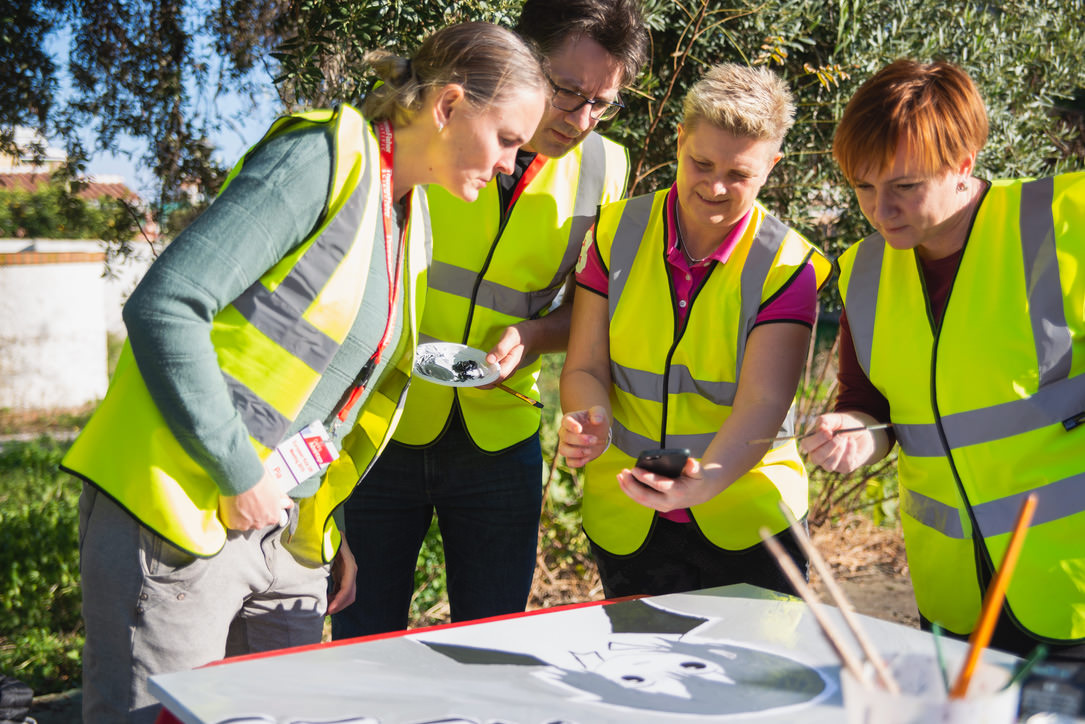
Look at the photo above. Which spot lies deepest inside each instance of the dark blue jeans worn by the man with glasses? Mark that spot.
(488, 507)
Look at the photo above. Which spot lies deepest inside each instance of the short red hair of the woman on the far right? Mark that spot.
(933, 108)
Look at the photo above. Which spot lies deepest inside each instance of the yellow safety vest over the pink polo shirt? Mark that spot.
(674, 387)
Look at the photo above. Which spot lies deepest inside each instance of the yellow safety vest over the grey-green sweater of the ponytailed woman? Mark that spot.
(272, 364)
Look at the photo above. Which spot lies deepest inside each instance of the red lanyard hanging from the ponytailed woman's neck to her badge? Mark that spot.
(393, 260)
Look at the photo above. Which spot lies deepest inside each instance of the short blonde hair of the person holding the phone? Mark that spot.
(744, 101)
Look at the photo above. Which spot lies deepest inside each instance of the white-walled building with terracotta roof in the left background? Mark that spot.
(59, 308)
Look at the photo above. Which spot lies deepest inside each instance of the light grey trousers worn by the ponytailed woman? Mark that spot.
(150, 608)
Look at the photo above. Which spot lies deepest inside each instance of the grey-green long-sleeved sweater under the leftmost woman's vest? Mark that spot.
(266, 212)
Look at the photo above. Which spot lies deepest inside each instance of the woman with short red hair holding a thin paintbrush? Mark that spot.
(964, 327)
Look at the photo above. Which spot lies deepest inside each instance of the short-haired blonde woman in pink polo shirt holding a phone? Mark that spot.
(690, 332)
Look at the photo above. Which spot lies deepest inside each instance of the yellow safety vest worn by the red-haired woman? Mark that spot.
(988, 404)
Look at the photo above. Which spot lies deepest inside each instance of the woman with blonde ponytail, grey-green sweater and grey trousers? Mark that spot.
(270, 351)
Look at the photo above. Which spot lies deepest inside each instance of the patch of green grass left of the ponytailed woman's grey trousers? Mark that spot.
(41, 627)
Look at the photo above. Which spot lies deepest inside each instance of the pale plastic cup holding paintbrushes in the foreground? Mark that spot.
(924, 698)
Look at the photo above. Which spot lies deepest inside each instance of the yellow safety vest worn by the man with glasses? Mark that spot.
(491, 272)
